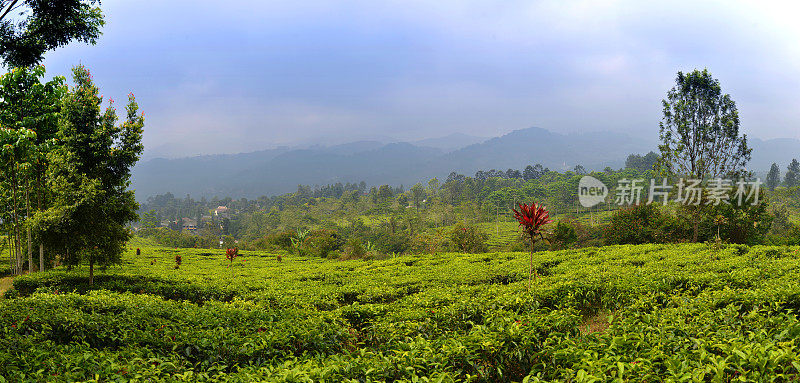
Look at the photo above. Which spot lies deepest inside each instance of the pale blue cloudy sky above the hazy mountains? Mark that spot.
(239, 76)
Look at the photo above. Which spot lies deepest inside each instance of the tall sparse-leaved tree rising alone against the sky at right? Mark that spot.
(700, 132)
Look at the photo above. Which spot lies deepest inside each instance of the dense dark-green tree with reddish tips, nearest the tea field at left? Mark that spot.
(90, 176)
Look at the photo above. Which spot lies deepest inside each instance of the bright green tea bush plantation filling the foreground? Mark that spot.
(617, 313)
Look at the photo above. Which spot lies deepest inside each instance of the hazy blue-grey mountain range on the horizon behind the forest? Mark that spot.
(277, 171)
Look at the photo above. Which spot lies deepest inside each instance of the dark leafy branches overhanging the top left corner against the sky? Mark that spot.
(30, 28)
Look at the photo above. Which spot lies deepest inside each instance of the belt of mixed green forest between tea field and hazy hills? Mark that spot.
(393, 220)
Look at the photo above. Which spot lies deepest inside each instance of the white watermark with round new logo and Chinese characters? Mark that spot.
(716, 191)
